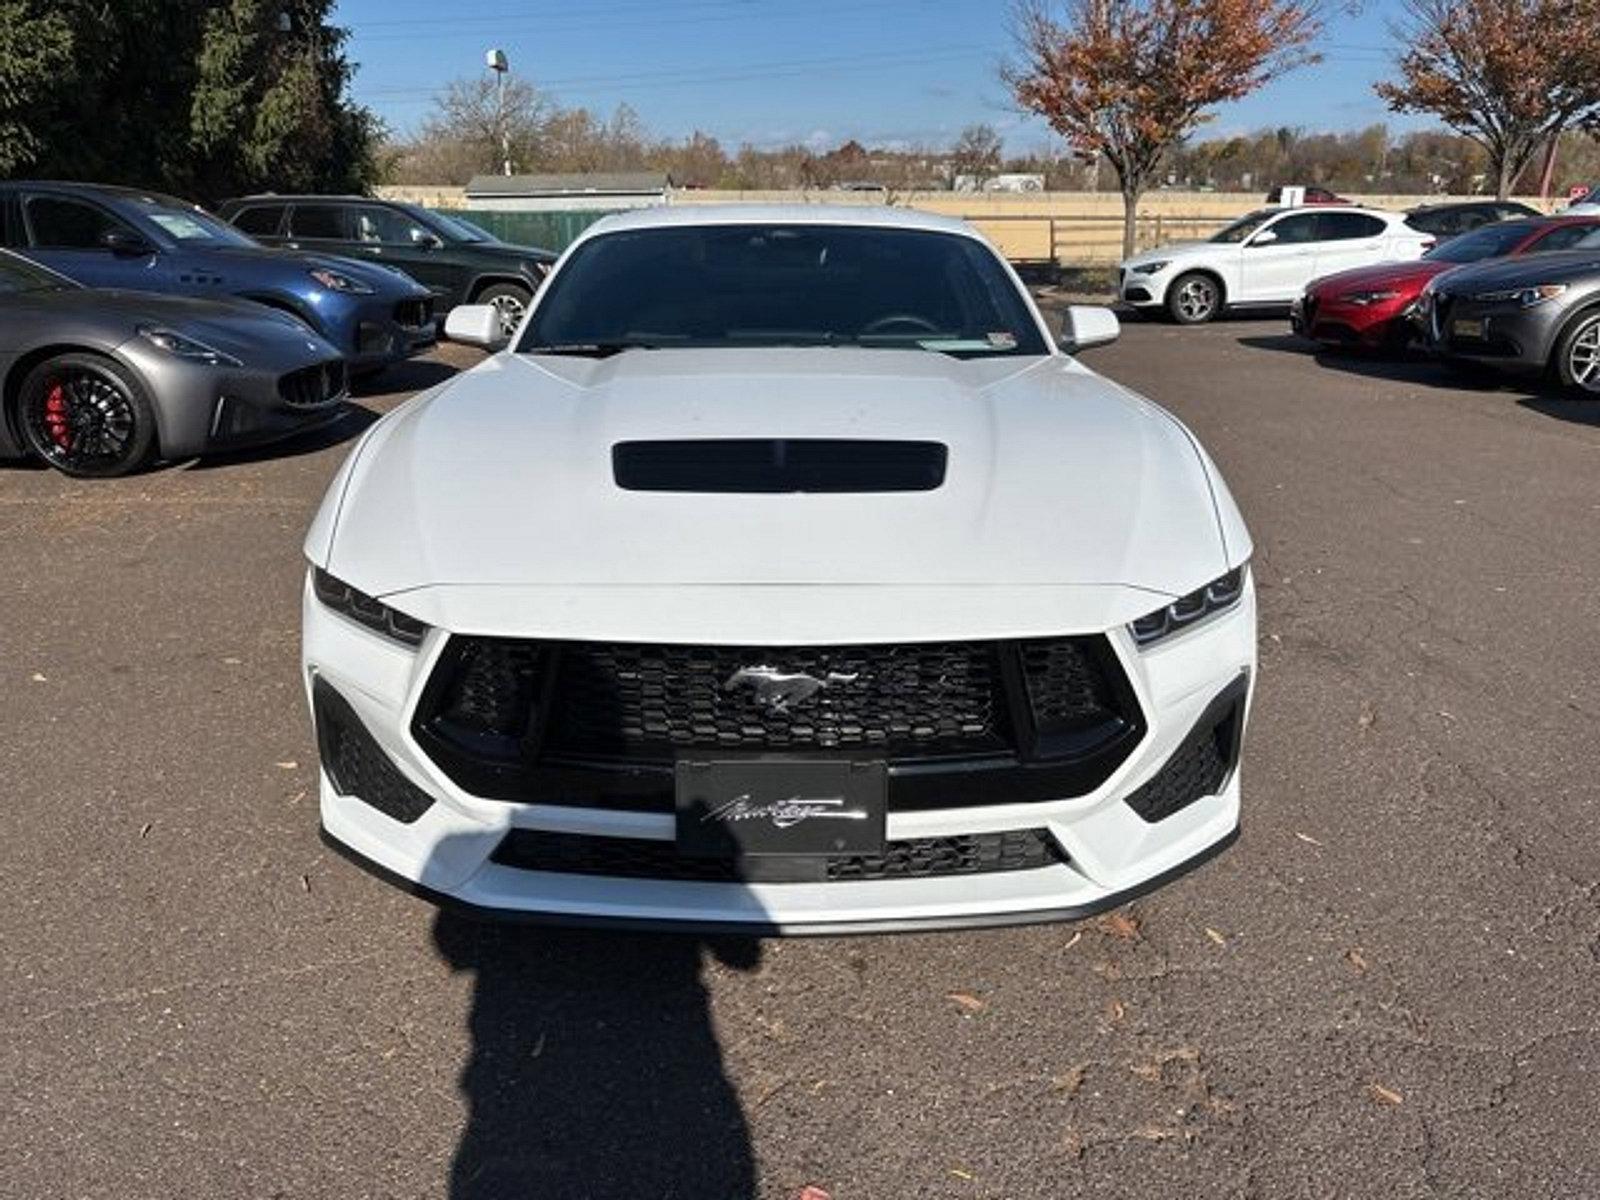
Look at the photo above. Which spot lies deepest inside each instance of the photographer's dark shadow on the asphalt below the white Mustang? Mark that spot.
(594, 1068)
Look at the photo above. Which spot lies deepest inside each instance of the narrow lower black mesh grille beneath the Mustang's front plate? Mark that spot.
(918, 858)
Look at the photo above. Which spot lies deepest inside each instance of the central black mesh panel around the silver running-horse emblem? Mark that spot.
(649, 702)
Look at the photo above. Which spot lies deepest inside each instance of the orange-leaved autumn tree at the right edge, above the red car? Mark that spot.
(1508, 74)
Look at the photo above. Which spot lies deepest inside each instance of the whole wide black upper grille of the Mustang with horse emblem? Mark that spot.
(601, 724)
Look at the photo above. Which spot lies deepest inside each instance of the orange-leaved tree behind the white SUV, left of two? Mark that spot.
(1130, 79)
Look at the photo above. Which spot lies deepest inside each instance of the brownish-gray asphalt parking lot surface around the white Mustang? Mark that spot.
(1386, 990)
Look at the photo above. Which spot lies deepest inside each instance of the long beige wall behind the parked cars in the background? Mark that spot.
(1070, 228)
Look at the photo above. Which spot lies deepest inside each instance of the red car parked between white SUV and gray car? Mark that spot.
(1372, 306)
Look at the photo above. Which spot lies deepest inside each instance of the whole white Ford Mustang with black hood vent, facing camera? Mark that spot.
(785, 575)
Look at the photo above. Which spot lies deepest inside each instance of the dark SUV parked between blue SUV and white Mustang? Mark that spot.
(455, 260)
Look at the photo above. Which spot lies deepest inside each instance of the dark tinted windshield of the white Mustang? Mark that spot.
(785, 286)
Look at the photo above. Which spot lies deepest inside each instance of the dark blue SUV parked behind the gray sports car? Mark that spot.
(119, 238)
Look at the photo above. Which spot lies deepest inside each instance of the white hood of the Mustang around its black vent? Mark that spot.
(505, 478)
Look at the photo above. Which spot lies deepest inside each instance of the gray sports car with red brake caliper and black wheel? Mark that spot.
(102, 383)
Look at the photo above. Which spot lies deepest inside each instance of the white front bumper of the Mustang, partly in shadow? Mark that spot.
(452, 852)
